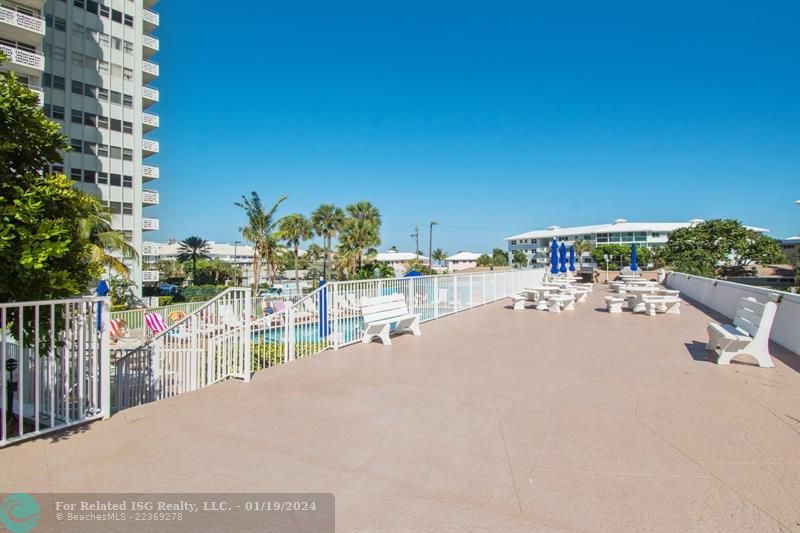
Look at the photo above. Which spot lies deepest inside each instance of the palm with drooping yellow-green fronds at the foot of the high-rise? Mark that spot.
(104, 241)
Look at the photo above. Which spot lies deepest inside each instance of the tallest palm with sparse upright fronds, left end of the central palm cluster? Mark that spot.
(260, 230)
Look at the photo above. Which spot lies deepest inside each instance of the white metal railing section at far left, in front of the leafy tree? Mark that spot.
(55, 363)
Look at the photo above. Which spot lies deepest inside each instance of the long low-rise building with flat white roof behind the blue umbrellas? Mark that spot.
(536, 244)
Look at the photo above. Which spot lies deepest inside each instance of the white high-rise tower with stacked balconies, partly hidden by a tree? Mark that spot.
(92, 63)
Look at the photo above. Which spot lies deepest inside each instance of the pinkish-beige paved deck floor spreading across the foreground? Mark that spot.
(492, 420)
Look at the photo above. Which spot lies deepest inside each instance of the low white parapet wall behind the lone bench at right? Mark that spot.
(724, 296)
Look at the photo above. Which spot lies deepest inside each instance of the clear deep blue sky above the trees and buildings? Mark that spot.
(492, 118)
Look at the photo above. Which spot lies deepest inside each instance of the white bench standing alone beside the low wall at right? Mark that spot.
(748, 335)
